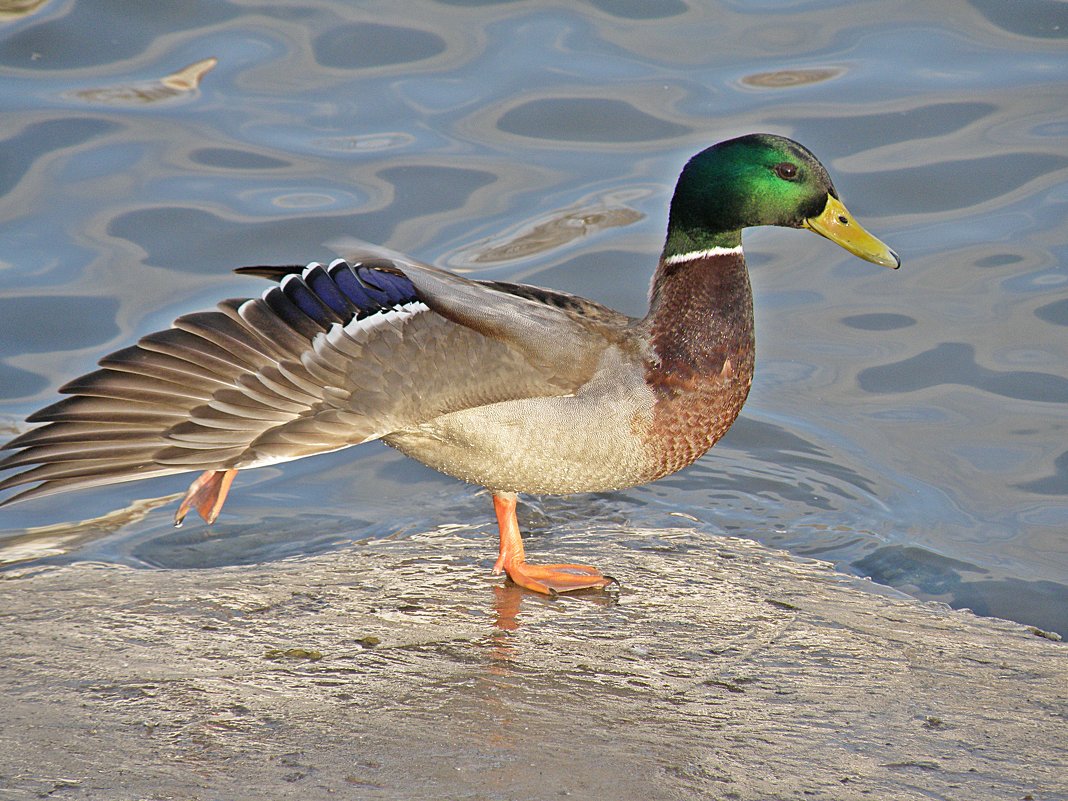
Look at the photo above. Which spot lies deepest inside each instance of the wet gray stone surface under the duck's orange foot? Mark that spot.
(400, 670)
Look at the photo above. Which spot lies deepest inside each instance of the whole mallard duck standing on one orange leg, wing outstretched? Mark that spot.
(511, 387)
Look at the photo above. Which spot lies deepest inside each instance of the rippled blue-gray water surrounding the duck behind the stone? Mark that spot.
(909, 427)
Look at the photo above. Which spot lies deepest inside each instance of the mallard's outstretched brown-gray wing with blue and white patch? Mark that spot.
(329, 358)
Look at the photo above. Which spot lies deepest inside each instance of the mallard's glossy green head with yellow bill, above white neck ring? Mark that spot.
(761, 180)
